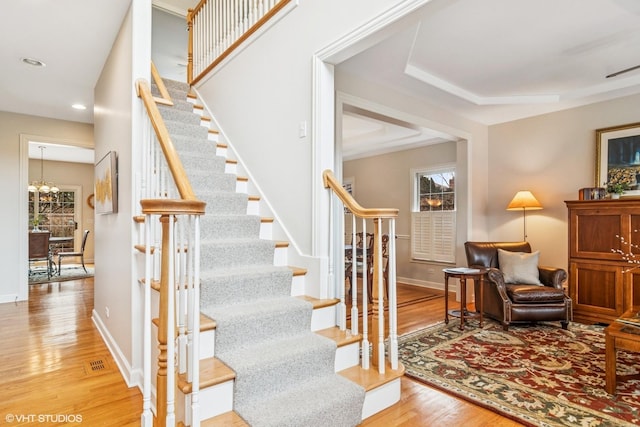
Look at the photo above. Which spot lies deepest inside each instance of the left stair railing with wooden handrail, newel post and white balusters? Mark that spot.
(172, 265)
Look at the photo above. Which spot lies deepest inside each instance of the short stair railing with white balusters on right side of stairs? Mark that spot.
(373, 328)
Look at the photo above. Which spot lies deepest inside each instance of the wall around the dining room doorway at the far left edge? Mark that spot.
(13, 257)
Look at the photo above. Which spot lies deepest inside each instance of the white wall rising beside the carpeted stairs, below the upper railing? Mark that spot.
(261, 95)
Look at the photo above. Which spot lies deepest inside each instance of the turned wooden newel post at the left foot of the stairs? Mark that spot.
(161, 378)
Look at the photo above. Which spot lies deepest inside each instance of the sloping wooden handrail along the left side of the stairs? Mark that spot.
(170, 154)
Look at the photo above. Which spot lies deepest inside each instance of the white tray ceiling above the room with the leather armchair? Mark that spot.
(499, 60)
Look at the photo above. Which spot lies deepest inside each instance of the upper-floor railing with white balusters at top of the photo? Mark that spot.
(218, 27)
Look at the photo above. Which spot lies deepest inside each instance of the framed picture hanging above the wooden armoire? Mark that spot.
(618, 157)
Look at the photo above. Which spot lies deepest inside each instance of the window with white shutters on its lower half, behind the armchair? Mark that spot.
(433, 216)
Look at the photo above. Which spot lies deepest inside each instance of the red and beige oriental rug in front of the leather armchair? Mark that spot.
(538, 375)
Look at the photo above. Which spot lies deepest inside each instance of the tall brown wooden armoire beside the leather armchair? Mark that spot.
(602, 283)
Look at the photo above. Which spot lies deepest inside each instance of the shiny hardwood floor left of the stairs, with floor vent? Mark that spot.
(55, 368)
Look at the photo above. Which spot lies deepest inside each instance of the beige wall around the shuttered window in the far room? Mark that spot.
(385, 182)
